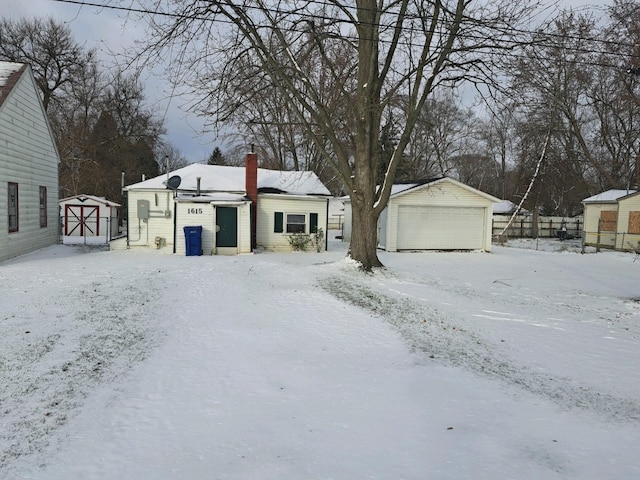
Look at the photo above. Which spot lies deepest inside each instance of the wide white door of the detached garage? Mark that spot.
(440, 228)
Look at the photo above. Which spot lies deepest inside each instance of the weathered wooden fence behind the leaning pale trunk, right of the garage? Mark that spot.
(548, 227)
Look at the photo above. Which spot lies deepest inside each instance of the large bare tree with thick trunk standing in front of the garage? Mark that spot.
(400, 49)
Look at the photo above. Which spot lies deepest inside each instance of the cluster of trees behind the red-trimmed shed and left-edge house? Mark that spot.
(99, 117)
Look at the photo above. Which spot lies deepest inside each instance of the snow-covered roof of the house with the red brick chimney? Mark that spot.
(217, 178)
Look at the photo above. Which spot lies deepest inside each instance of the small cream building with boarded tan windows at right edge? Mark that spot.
(612, 219)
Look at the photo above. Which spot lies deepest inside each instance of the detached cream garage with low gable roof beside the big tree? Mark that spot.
(438, 214)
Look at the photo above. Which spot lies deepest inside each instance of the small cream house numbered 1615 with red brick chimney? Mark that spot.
(231, 209)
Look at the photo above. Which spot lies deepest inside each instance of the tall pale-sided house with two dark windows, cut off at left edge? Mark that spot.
(28, 166)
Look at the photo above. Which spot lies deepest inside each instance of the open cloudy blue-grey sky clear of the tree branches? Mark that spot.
(107, 31)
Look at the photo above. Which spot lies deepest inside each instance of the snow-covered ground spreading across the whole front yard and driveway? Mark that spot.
(521, 363)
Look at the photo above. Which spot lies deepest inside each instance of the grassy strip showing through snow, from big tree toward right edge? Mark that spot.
(428, 331)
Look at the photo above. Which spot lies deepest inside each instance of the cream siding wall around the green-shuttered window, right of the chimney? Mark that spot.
(269, 204)
